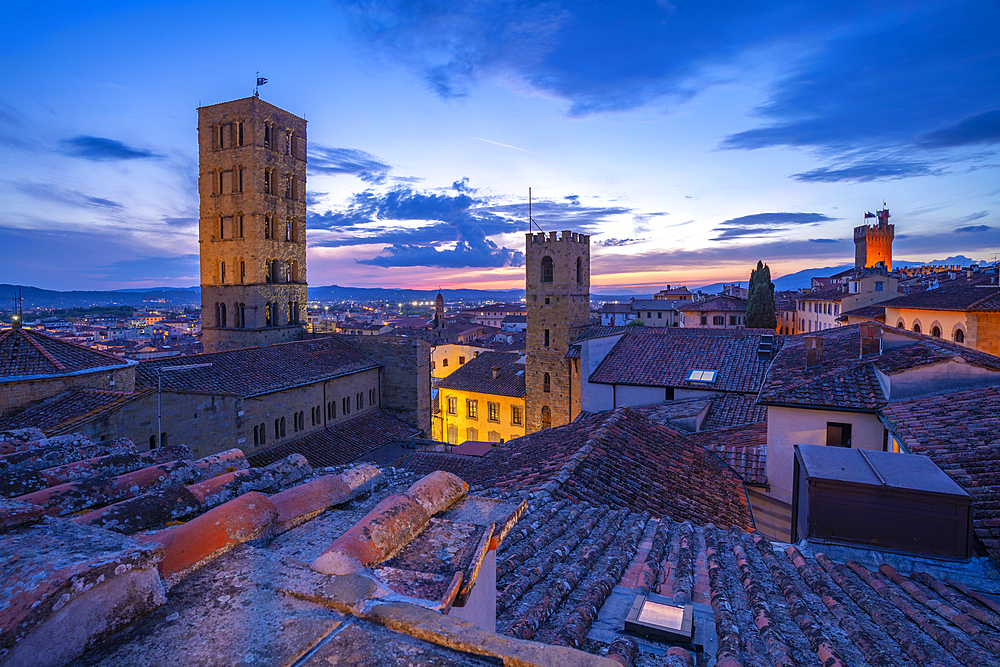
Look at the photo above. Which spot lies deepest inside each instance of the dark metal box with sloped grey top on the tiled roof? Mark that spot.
(884, 500)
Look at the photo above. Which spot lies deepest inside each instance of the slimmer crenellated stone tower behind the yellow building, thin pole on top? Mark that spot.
(557, 282)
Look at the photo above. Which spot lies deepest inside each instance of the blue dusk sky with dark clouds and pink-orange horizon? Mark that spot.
(690, 138)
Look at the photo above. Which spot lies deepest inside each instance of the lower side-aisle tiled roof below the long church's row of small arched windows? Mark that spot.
(342, 442)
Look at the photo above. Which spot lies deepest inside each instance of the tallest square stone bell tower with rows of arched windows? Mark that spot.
(252, 228)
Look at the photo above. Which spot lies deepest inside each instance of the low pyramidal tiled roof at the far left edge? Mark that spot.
(31, 352)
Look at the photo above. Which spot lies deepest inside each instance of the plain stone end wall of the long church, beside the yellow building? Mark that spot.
(405, 376)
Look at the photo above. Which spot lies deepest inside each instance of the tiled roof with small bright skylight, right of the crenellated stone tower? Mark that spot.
(665, 361)
